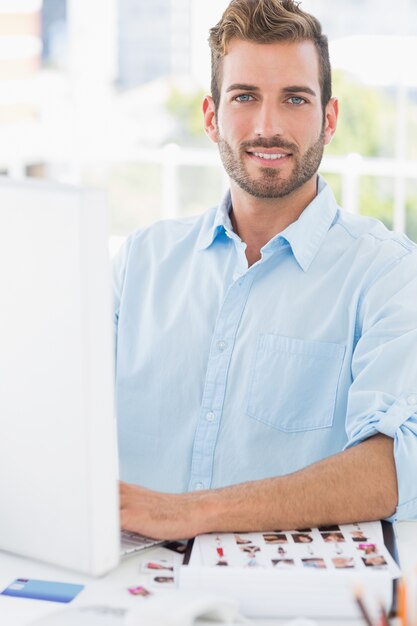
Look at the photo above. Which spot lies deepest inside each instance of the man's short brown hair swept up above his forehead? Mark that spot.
(267, 21)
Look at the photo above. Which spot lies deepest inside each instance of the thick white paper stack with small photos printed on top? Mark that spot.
(279, 574)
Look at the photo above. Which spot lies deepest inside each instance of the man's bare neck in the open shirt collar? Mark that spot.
(258, 220)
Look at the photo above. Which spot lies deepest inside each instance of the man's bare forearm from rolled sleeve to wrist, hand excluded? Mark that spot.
(357, 484)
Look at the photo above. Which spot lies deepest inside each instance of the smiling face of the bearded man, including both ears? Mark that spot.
(269, 125)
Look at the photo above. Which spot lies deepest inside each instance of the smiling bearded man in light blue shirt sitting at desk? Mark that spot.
(266, 367)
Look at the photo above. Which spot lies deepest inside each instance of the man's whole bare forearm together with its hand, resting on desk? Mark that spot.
(358, 484)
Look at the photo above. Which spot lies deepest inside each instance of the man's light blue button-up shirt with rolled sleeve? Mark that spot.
(227, 373)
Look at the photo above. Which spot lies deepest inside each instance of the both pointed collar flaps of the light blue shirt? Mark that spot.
(305, 235)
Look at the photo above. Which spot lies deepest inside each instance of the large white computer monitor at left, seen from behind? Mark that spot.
(58, 450)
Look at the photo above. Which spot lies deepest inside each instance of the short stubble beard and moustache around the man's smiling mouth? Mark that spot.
(270, 183)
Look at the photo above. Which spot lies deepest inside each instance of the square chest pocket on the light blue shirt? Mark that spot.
(294, 382)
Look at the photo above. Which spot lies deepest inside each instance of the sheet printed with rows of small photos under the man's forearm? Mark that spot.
(354, 547)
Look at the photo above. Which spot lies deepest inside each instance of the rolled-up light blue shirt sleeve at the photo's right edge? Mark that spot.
(383, 394)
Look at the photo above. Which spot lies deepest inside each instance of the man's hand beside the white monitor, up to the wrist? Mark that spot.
(159, 515)
